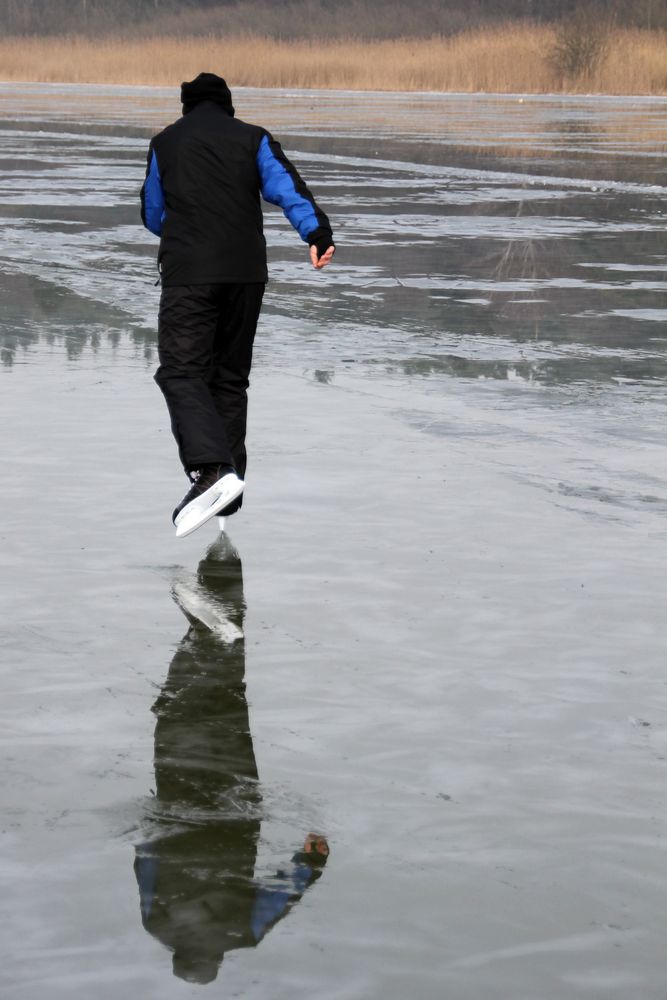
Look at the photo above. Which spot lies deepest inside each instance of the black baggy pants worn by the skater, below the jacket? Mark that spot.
(205, 340)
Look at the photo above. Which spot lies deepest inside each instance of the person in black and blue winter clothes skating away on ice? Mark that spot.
(201, 195)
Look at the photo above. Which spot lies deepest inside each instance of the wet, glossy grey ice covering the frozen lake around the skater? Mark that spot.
(453, 554)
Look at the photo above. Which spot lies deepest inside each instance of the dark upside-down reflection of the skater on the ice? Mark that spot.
(199, 896)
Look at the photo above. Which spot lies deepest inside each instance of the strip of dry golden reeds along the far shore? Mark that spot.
(512, 59)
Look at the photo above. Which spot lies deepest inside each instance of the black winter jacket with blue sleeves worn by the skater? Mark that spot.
(201, 195)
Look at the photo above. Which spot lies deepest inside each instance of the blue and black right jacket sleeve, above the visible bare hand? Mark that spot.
(282, 185)
